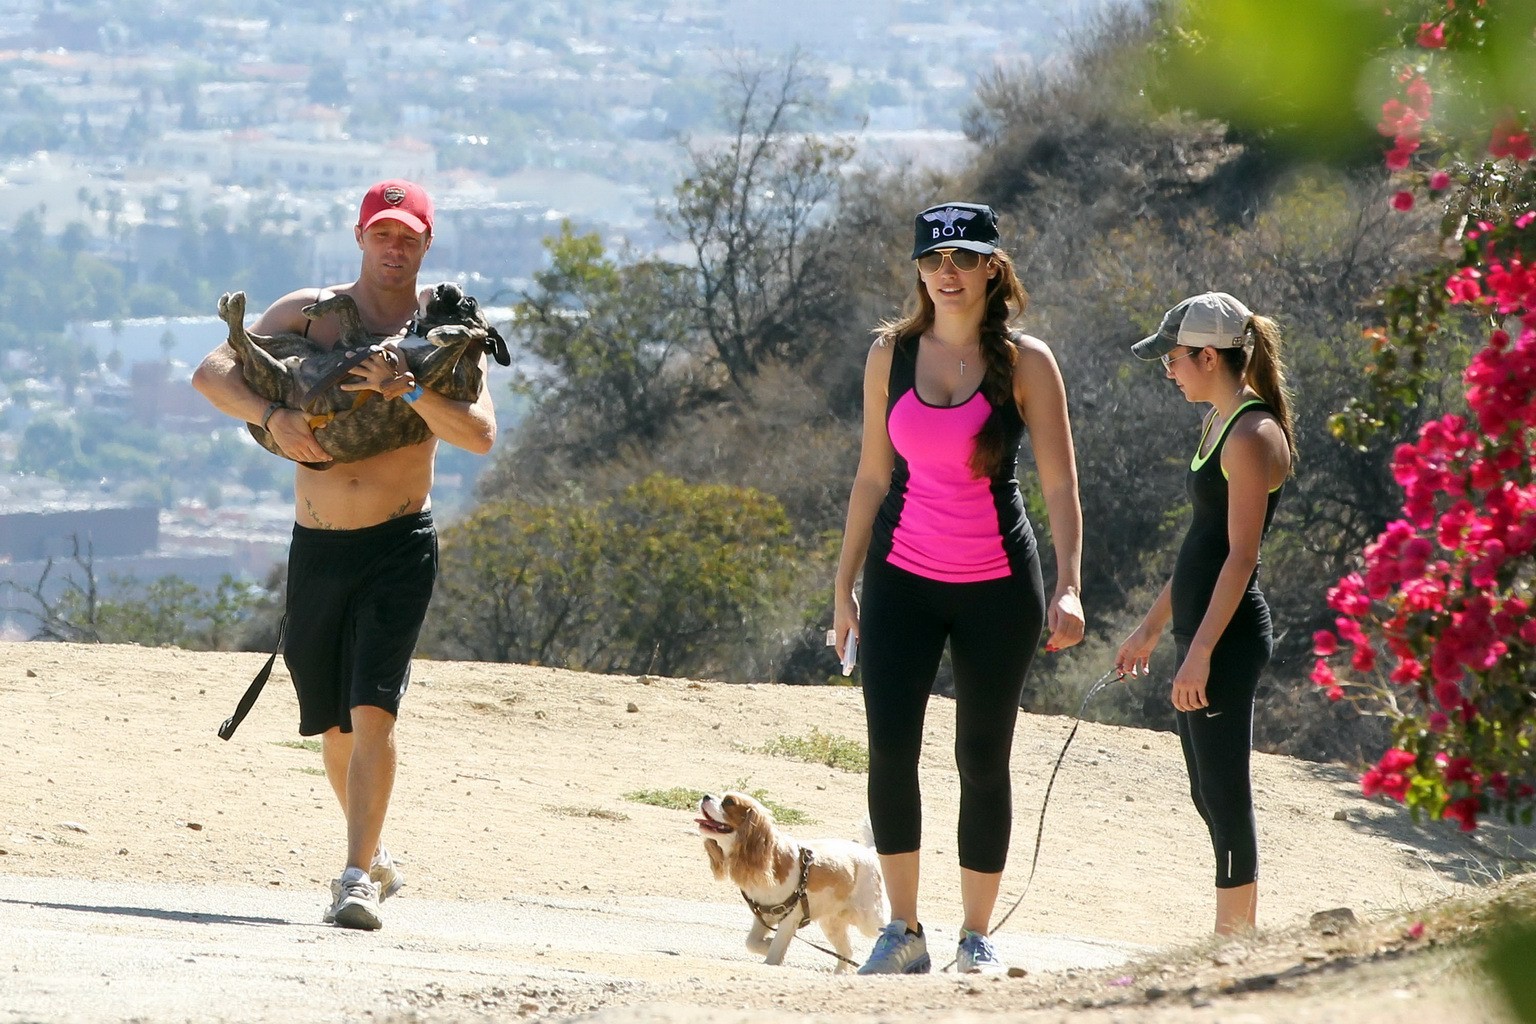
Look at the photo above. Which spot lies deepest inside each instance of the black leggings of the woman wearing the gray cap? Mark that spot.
(1217, 745)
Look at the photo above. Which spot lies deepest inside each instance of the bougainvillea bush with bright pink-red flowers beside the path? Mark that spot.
(1438, 627)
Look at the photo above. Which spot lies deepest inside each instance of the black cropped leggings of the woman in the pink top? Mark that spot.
(993, 630)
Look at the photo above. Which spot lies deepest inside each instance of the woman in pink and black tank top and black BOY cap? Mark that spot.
(938, 524)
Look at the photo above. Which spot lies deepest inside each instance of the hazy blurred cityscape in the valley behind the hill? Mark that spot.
(154, 154)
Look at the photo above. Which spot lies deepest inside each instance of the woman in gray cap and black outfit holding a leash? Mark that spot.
(1220, 354)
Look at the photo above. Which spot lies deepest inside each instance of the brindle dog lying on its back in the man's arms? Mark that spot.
(356, 426)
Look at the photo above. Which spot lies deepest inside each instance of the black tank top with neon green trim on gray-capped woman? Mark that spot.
(1207, 544)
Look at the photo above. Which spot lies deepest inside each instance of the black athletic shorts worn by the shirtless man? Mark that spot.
(356, 606)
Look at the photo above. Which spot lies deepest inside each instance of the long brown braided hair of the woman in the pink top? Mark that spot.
(1005, 300)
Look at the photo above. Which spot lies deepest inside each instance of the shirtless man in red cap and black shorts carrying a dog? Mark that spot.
(365, 552)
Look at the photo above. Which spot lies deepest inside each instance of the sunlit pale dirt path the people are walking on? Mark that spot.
(153, 873)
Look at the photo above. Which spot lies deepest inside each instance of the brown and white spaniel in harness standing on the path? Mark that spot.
(832, 882)
